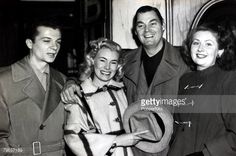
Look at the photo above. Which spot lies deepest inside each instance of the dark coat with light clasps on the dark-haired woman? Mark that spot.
(209, 124)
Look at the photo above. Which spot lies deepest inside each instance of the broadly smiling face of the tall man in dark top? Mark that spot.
(149, 29)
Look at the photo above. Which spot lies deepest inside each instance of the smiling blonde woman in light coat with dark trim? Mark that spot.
(94, 124)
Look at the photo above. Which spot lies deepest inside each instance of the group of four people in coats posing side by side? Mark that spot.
(32, 117)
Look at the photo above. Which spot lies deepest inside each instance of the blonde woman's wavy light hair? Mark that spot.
(86, 69)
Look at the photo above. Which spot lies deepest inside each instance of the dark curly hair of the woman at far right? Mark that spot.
(225, 40)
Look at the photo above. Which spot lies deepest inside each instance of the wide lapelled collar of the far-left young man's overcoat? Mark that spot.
(23, 74)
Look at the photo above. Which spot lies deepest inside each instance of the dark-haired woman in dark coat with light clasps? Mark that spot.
(206, 124)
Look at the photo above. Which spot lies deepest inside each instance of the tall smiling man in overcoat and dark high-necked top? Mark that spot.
(154, 68)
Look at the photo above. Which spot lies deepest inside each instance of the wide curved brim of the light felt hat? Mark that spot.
(164, 114)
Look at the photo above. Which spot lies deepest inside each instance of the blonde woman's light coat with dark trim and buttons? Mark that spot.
(107, 108)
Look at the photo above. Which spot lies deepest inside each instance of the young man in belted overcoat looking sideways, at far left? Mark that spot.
(31, 114)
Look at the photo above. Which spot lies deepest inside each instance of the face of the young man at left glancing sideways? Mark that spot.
(46, 45)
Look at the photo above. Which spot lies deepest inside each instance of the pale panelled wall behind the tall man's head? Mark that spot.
(178, 15)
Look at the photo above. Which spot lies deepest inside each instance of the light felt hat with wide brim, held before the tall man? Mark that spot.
(156, 119)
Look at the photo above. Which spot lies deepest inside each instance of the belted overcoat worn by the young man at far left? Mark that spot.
(28, 112)
